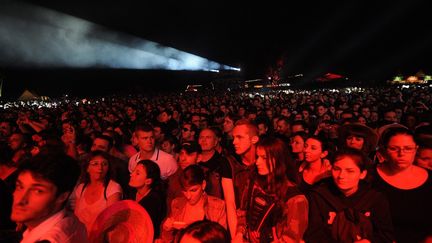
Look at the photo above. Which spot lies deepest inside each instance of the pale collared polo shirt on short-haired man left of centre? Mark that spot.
(167, 163)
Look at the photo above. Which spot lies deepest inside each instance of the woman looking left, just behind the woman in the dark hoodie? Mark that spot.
(315, 166)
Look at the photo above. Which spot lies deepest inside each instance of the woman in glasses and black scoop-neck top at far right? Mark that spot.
(407, 186)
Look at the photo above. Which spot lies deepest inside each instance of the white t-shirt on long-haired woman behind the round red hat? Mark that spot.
(87, 213)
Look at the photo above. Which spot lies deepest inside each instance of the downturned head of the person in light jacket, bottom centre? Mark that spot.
(193, 183)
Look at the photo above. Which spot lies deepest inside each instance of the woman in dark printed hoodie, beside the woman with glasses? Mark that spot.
(347, 190)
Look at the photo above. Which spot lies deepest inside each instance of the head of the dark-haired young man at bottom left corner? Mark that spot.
(43, 186)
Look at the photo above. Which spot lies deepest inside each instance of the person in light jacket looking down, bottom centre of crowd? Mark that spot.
(194, 205)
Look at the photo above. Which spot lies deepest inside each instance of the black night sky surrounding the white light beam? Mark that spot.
(360, 39)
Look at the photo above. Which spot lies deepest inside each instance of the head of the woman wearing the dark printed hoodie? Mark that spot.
(349, 167)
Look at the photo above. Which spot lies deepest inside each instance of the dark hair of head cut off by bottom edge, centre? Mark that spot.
(205, 231)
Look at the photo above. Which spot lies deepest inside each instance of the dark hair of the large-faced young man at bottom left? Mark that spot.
(58, 168)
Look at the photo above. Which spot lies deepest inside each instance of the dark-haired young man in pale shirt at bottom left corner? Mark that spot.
(42, 189)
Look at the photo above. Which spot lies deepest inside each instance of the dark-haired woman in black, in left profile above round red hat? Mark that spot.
(145, 178)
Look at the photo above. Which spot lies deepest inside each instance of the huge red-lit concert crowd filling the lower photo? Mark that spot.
(347, 165)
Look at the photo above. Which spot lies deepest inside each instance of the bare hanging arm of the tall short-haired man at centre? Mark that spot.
(228, 190)
